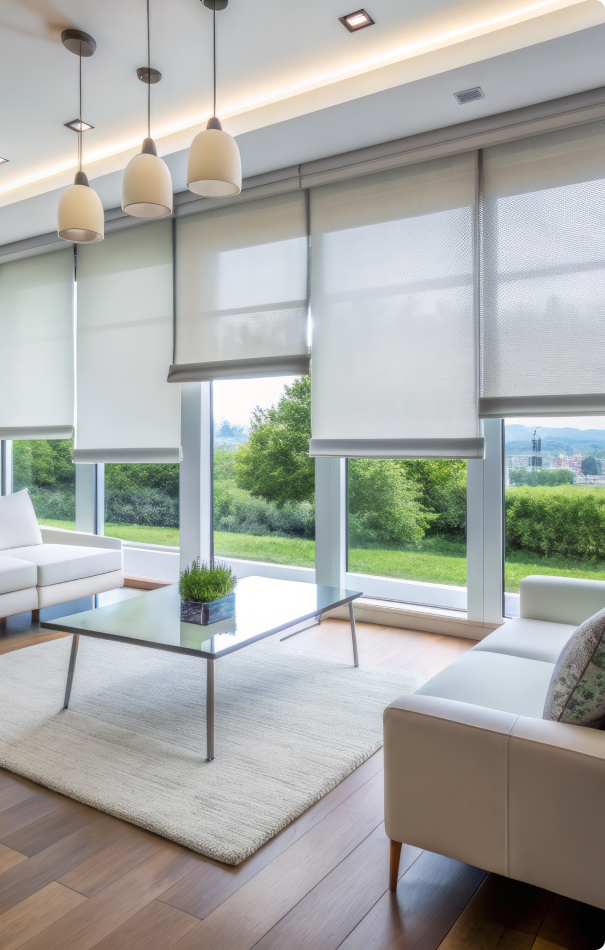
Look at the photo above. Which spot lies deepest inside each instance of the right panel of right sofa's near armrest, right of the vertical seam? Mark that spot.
(556, 795)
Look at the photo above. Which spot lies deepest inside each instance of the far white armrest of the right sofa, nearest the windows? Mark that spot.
(560, 599)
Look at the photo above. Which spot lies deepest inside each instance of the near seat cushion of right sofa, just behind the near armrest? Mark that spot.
(495, 680)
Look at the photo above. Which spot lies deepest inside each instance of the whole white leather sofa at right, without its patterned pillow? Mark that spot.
(472, 771)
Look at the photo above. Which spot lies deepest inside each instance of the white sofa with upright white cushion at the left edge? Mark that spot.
(42, 566)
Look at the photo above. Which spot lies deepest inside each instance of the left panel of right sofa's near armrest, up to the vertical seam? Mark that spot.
(445, 778)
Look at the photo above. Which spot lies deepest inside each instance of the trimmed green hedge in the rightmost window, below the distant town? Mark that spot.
(567, 520)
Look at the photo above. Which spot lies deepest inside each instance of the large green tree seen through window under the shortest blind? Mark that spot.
(274, 463)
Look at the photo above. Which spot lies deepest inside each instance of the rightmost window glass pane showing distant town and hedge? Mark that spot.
(555, 500)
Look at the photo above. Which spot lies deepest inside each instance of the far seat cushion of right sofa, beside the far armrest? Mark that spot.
(531, 639)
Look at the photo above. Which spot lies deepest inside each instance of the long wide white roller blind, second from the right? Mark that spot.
(394, 346)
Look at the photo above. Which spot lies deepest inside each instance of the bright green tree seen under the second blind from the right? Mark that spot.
(383, 504)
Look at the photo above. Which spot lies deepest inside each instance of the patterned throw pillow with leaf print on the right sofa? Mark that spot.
(576, 693)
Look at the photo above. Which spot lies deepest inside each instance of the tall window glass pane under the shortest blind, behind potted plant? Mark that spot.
(264, 480)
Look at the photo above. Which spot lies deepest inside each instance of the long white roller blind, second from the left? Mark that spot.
(126, 411)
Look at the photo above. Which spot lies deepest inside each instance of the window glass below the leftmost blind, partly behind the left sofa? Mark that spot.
(45, 468)
